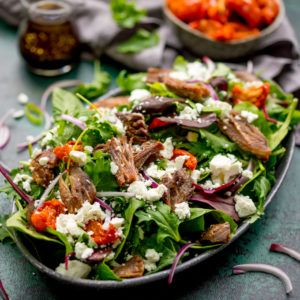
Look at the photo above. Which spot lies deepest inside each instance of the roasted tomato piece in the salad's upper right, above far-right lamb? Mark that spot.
(255, 94)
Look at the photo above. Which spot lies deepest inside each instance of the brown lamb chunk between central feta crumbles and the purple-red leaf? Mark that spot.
(180, 188)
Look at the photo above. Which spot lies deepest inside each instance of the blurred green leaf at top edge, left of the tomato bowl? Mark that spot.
(125, 13)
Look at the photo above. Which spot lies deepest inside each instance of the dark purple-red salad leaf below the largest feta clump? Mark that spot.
(217, 202)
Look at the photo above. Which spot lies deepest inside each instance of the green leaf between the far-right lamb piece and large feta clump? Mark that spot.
(217, 141)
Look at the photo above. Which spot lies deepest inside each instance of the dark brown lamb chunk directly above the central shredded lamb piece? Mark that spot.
(136, 128)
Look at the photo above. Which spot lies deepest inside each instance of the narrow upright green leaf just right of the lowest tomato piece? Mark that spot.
(130, 211)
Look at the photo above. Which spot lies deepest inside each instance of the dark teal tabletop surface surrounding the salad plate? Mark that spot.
(211, 280)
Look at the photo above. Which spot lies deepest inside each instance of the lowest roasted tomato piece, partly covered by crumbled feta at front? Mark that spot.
(100, 235)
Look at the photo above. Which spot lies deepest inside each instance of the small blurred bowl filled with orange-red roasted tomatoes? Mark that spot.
(224, 29)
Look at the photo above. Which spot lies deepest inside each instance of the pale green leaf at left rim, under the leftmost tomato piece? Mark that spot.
(18, 222)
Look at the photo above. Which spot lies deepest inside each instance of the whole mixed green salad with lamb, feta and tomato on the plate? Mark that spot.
(133, 184)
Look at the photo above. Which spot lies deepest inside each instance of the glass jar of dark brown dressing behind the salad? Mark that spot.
(48, 40)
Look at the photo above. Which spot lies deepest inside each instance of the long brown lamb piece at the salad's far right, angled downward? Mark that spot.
(245, 135)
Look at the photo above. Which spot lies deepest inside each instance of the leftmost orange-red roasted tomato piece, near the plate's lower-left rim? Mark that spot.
(45, 216)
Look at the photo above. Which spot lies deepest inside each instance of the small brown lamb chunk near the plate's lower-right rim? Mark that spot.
(217, 234)
